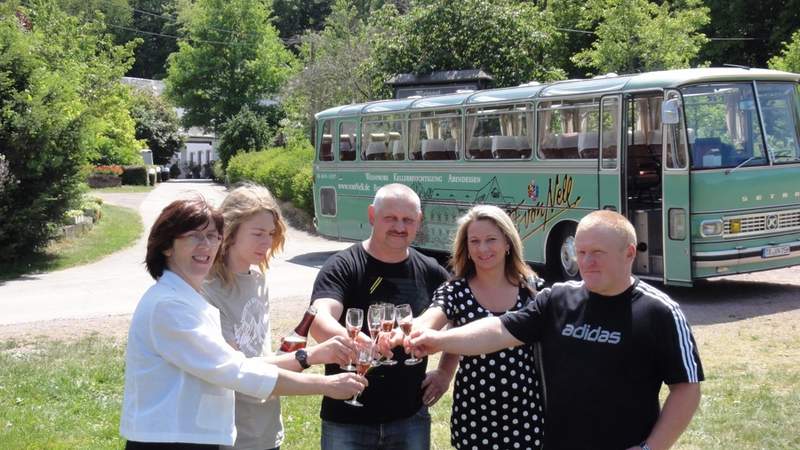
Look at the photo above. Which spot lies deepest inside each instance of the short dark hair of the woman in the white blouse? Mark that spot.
(179, 217)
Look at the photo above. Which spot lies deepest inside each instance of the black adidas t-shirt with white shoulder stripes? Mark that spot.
(605, 359)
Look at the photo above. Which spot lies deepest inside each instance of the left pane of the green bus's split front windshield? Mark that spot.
(723, 126)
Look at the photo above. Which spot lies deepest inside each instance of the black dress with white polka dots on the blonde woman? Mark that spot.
(497, 400)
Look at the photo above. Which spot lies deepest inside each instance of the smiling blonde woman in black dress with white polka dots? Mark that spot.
(497, 399)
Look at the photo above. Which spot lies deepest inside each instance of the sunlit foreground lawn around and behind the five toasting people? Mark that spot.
(67, 395)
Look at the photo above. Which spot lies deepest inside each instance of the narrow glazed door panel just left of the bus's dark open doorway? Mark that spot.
(609, 187)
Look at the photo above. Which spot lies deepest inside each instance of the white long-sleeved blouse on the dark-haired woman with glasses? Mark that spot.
(180, 374)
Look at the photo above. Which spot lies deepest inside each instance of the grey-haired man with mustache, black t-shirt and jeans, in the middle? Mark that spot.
(382, 269)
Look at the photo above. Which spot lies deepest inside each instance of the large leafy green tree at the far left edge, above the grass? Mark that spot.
(56, 75)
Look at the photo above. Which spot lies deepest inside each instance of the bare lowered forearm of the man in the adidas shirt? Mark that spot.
(679, 408)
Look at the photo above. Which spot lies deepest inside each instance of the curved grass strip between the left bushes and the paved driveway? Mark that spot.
(118, 228)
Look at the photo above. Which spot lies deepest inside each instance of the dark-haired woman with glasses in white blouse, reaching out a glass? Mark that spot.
(180, 374)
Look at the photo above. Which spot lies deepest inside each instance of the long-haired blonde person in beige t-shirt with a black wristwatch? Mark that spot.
(254, 233)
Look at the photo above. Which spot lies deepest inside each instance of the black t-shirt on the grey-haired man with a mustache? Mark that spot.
(358, 280)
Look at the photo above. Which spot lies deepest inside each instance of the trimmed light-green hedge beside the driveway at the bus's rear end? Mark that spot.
(284, 171)
